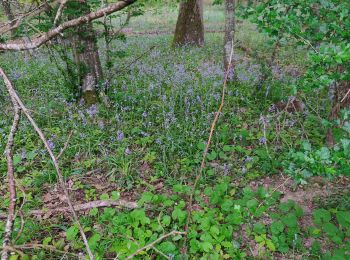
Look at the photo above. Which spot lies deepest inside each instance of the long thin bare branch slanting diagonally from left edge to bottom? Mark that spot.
(15, 97)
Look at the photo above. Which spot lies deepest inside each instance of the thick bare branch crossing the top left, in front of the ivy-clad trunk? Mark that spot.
(42, 39)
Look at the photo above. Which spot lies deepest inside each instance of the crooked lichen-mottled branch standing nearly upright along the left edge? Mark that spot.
(10, 175)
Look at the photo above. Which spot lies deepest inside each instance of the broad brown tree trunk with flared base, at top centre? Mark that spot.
(189, 26)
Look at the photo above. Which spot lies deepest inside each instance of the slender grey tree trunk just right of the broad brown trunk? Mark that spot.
(229, 34)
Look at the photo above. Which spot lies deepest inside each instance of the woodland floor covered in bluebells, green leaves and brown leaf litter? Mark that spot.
(254, 200)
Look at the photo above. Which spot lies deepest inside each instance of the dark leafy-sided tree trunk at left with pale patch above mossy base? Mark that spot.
(87, 59)
